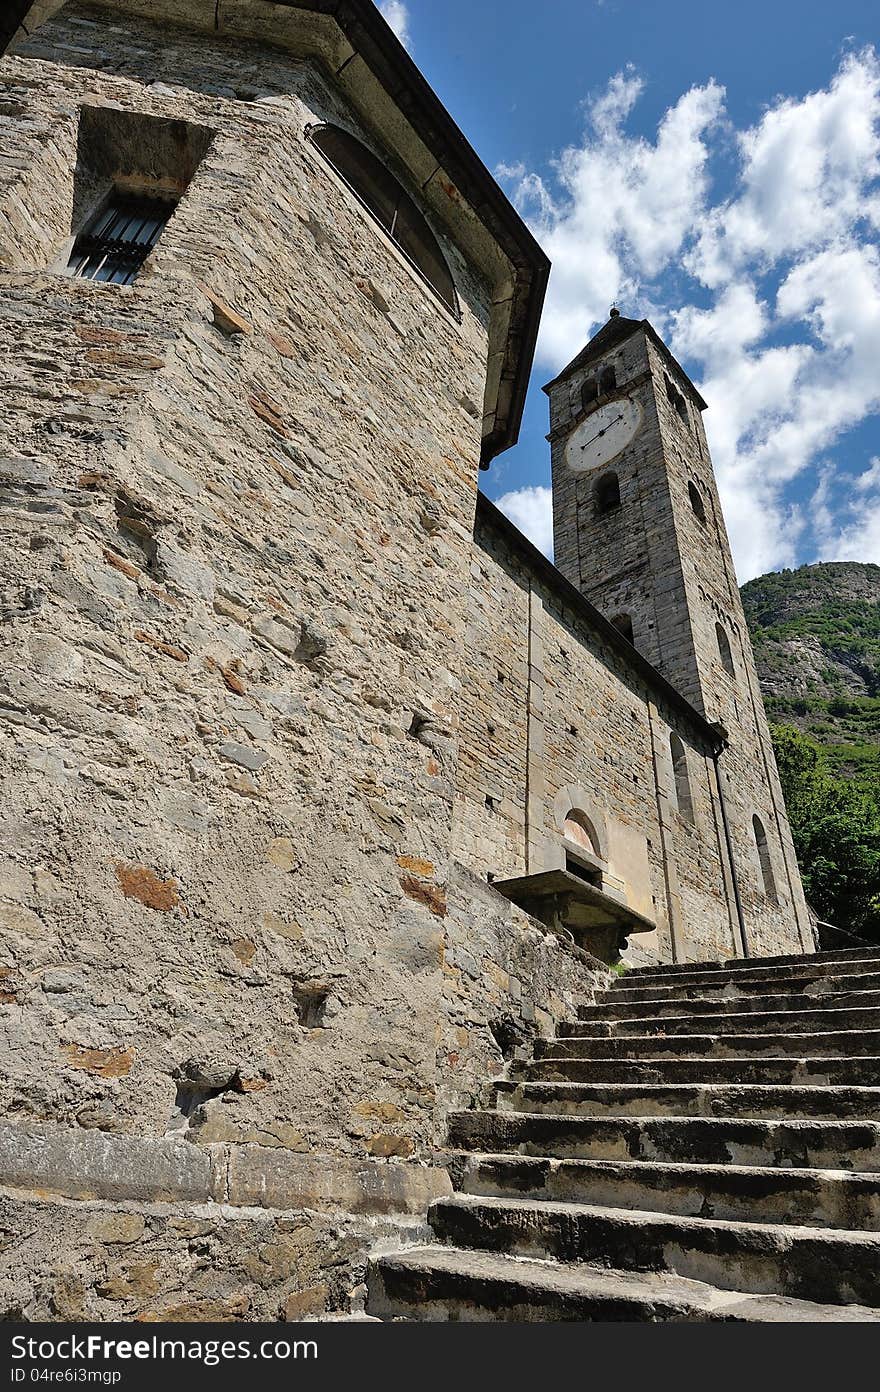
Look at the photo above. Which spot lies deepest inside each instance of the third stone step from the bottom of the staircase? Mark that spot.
(817, 1198)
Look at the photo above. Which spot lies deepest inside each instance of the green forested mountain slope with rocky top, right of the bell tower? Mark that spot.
(817, 637)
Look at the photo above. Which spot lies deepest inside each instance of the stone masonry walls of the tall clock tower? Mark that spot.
(657, 562)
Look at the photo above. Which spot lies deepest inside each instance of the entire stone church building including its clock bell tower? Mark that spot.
(324, 791)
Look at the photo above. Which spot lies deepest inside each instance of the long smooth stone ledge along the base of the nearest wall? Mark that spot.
(76, 1164)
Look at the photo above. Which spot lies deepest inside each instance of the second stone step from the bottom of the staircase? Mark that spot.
(826, 1266)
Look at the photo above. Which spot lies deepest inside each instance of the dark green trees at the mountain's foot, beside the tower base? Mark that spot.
(836, 829)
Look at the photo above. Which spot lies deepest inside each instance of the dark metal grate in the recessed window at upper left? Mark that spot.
(115, 246)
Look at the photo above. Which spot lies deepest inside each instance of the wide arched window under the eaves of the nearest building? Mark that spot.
(391, 205)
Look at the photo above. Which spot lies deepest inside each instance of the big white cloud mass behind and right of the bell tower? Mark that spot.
(772, 294)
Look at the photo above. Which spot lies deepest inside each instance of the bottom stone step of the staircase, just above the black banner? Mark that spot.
(441, 1284)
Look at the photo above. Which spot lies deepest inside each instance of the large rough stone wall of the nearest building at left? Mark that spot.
(232, 577)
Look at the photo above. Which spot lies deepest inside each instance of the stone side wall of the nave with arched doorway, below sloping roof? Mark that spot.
(553, 718)
